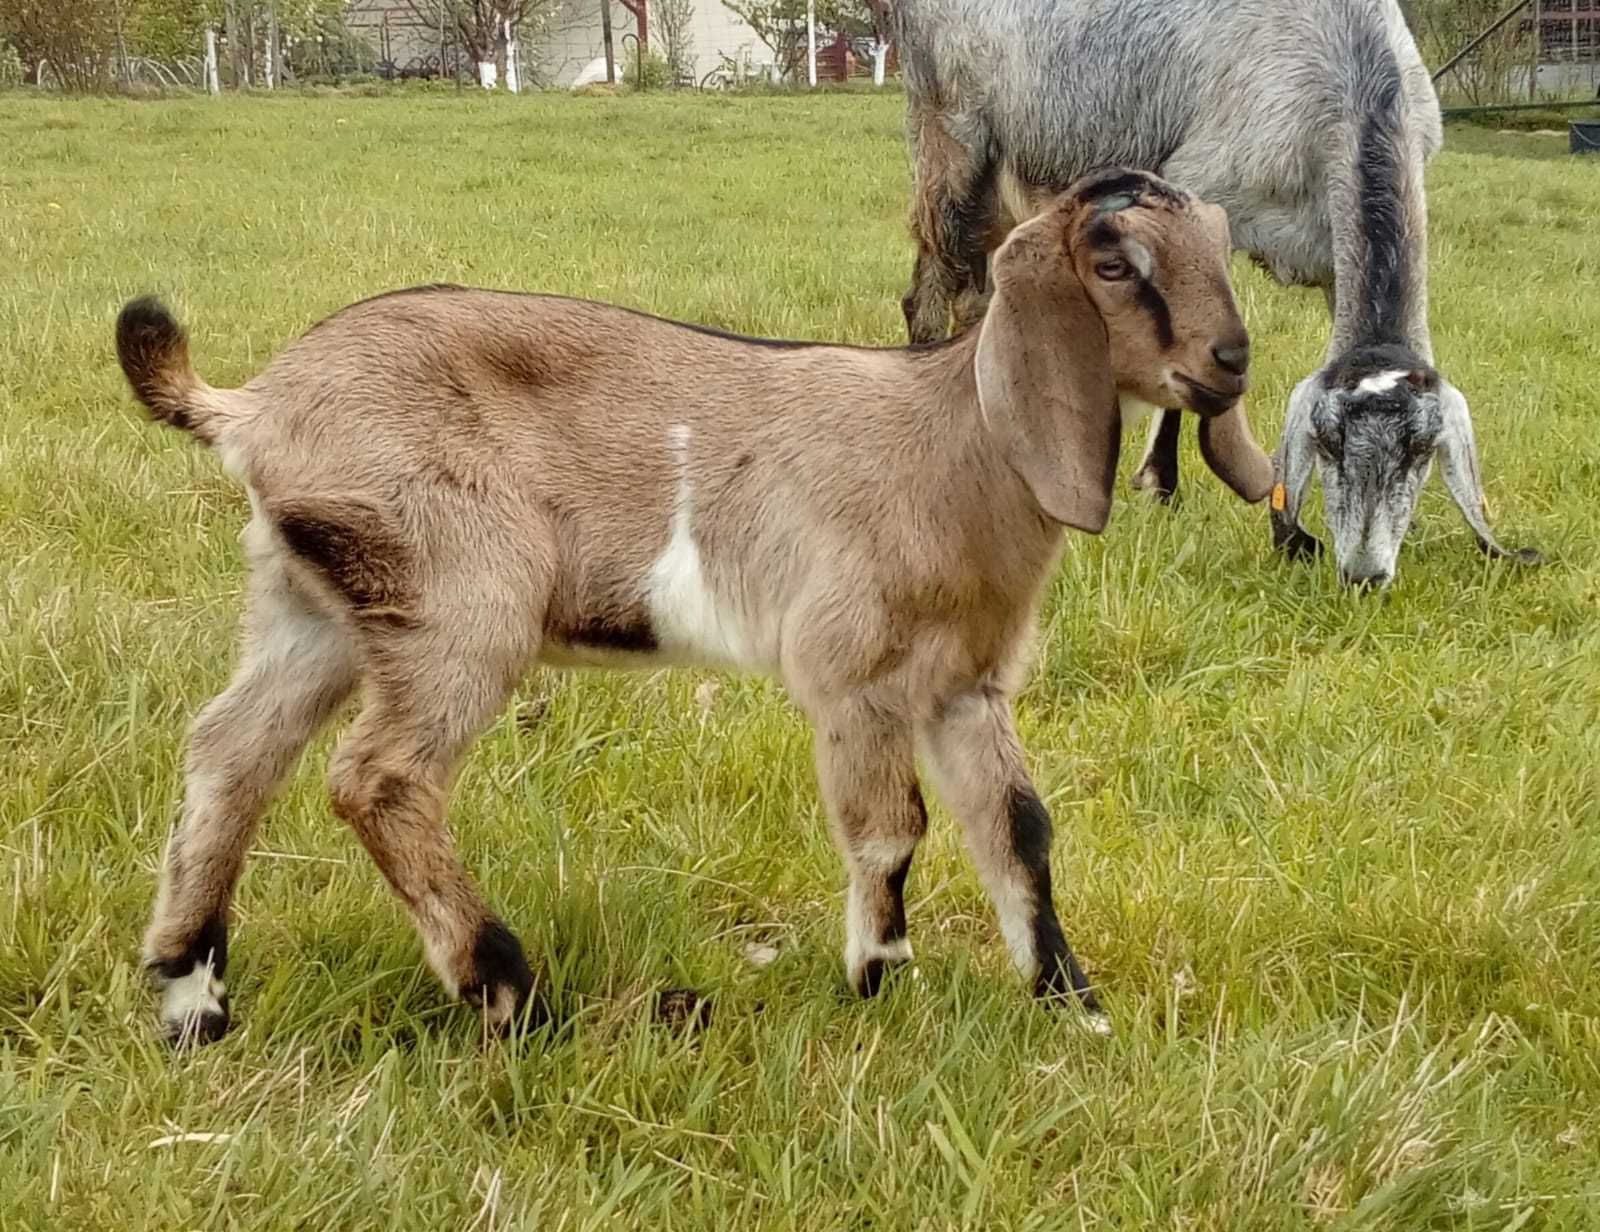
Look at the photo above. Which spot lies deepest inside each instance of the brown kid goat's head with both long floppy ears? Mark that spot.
(1121, 287)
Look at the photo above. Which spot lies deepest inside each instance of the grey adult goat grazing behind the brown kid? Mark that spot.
(1310, 124)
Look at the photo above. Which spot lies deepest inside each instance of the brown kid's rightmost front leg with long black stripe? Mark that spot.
(977, 764)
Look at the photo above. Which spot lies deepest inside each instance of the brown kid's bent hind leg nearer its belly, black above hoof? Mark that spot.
(431, 694)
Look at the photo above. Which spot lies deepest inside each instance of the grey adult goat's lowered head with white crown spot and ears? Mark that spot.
(1374, 423)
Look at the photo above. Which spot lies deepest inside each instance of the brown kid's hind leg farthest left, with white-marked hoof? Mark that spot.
(297, 668)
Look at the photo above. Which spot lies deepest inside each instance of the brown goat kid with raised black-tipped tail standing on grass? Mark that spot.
(450, 486)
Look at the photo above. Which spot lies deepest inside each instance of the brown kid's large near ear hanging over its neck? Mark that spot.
(1044, 375)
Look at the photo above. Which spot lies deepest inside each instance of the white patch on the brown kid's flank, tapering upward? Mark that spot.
(687, 618)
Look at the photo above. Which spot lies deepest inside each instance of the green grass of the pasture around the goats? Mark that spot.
(1335, 862)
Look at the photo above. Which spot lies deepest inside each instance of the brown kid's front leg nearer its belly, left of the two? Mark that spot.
(868, 775)
